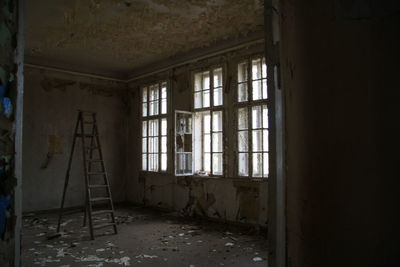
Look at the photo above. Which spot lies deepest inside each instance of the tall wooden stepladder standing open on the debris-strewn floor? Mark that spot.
(98, 194)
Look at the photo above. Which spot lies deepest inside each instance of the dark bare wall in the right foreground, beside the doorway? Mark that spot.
(340, 67)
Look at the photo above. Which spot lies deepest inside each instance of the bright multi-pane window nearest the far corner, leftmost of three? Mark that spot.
(154, 127)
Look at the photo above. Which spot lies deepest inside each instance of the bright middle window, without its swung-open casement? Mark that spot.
(208, 117)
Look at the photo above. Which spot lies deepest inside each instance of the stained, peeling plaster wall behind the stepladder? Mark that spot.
(52, 101)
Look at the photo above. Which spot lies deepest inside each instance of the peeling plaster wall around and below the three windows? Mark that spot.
(226, 199)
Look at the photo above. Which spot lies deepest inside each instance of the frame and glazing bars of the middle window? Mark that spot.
(211, 109)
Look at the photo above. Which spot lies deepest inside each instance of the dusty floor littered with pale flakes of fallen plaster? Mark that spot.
(145, 238)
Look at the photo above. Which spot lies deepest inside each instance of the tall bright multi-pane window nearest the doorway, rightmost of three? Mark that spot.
(252, 114)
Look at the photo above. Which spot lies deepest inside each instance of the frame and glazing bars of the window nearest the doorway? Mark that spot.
(248, 105)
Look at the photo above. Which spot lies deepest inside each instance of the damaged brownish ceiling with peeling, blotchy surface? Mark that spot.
(120, 36)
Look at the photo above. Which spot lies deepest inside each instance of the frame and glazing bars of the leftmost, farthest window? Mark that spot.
(159, 117)
